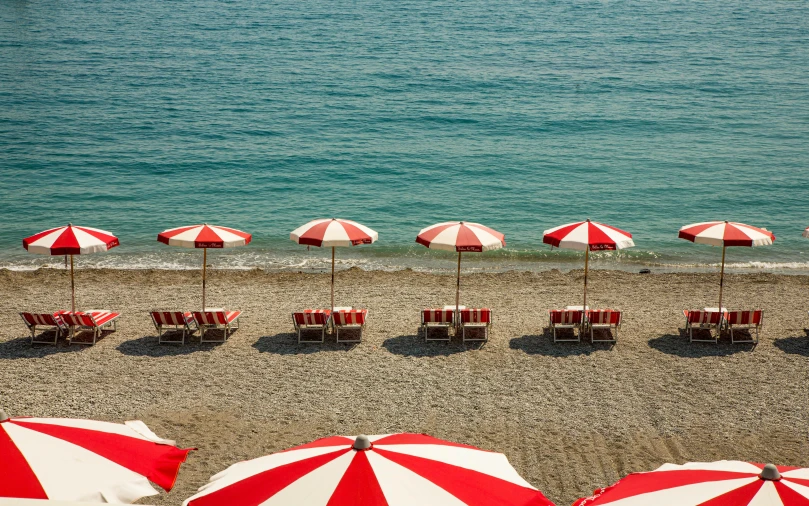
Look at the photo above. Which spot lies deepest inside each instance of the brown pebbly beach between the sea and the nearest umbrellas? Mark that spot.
(570, 417)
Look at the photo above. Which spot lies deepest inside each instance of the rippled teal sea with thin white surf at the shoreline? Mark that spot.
(140, 116)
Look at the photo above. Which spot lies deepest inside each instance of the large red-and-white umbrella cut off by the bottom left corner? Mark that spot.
(84, 460)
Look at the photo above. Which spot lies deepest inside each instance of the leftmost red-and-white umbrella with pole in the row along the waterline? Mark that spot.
(70, 240)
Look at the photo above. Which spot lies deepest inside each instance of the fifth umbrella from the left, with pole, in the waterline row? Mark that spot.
(588, 236)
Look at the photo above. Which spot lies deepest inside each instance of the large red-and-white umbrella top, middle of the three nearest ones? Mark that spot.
(398, 469)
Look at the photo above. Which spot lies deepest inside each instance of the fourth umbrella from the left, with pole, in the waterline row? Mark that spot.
(460, 236)
